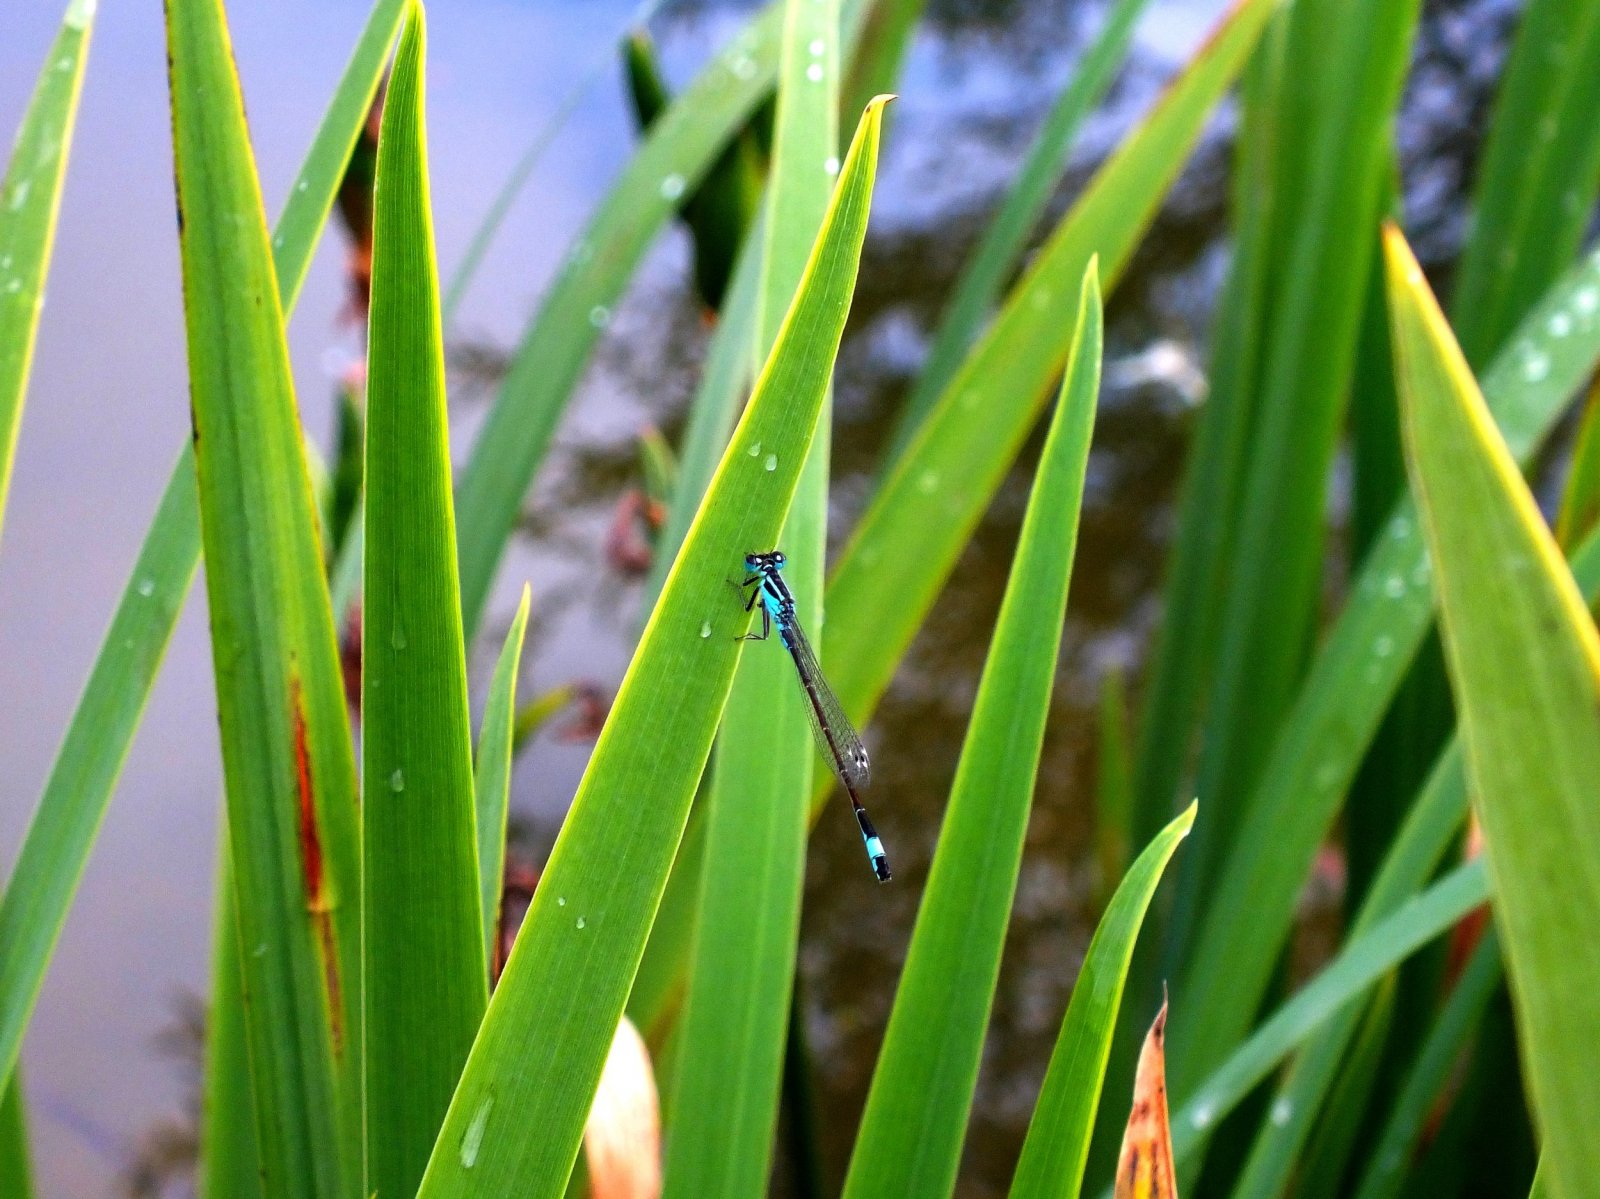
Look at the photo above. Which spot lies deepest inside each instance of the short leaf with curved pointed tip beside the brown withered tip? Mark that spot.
(1058, 1137)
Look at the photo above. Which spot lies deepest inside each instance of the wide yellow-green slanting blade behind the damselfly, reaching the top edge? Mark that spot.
(911, 535)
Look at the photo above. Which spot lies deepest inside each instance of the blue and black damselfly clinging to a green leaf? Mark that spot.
(834, 734)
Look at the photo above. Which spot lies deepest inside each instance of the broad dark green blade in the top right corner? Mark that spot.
(1542, 166)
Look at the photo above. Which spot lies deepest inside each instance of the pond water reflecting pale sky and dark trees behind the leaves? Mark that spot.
(108, 412)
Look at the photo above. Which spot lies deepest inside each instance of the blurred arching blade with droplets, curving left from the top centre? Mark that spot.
(682, 146)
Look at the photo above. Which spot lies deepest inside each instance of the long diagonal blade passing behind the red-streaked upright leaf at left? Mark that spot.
(90, 758)
